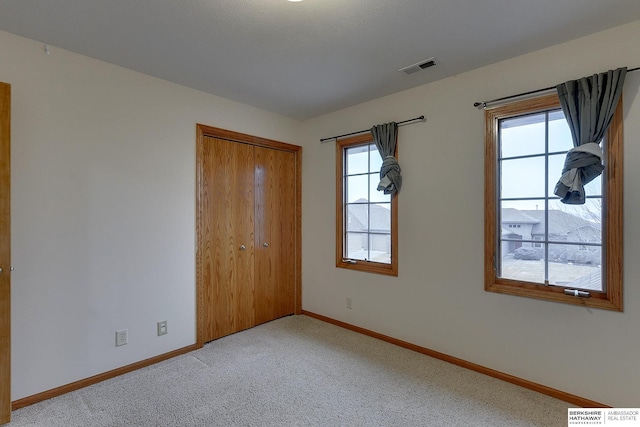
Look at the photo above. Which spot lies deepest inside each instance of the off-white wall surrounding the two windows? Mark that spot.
(438, 301)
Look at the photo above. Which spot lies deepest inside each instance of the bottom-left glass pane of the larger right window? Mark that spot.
(522, 261)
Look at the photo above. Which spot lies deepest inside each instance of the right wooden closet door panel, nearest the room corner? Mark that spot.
(275, 216)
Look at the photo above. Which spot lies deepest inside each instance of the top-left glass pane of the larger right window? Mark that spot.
(522, 136)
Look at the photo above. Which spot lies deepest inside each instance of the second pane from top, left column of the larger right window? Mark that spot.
(522, 178)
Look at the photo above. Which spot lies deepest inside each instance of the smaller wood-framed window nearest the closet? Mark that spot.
(367, 236)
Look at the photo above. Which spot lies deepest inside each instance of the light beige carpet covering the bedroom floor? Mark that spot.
(299, 371)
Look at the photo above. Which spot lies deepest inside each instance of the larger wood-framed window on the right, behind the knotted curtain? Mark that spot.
(562, 253)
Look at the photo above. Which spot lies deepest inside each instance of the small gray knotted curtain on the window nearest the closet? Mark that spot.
(386, 137)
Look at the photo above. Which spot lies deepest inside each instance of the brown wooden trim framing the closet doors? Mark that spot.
(203, 131)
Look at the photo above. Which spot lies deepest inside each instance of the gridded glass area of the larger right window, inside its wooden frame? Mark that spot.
(550, 230)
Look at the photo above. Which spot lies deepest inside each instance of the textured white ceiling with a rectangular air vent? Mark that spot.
(308, 58)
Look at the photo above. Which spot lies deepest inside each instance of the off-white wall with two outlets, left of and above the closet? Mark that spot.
(103, 210)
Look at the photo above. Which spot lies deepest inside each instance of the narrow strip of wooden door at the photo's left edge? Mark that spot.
(5, 253)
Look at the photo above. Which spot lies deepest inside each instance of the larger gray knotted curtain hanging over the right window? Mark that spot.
(588, 105)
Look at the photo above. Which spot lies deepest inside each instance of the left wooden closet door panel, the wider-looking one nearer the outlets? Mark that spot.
(227, 203)
